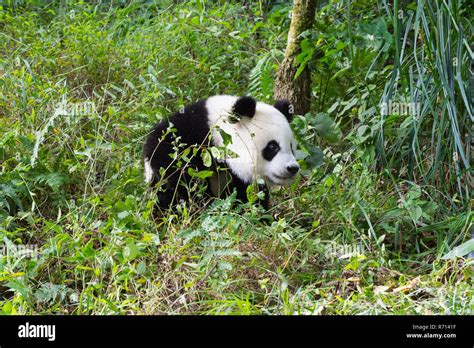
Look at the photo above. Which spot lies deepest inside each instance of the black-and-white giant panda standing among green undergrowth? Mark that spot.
(262, 147)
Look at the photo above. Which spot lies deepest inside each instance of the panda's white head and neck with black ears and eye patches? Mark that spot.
(261, 137)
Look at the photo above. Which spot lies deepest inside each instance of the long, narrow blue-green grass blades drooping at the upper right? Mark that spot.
(431, 69)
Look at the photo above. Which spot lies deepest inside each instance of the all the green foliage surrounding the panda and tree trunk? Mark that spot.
(380, 210)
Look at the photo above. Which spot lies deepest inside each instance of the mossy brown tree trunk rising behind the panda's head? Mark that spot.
(298, 91)
